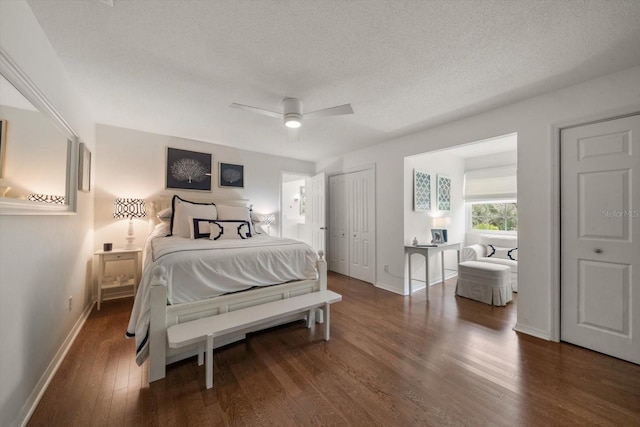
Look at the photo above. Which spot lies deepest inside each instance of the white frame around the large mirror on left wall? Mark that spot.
(29, 90)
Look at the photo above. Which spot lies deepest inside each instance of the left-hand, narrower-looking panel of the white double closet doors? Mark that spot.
(338, 260)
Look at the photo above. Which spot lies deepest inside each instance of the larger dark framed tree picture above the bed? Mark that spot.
(188, 170)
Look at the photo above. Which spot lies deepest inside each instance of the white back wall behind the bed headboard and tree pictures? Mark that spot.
(132, 164)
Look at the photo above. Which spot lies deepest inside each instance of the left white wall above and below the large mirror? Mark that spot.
(43, 259)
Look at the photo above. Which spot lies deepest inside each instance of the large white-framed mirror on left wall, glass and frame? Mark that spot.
(38, 149)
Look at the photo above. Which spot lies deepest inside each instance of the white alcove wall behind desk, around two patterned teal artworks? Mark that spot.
(419, 224)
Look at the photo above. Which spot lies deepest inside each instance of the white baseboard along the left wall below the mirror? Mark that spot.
(37, 393)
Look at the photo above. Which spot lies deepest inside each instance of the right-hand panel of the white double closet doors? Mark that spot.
(361, 193)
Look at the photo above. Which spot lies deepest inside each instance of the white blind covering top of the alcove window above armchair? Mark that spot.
(491, 184)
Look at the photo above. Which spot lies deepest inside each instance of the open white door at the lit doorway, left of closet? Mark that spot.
(316, 211)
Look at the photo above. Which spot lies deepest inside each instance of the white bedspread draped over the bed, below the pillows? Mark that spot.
(203, 268)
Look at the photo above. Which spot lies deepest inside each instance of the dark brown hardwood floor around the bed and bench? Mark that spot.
(391, 361)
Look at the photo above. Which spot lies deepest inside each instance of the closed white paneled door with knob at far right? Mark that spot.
(600, 237)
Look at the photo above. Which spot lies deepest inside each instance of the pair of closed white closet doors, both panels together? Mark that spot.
(352, 224)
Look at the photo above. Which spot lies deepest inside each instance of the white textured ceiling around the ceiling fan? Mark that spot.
(174, 67)
